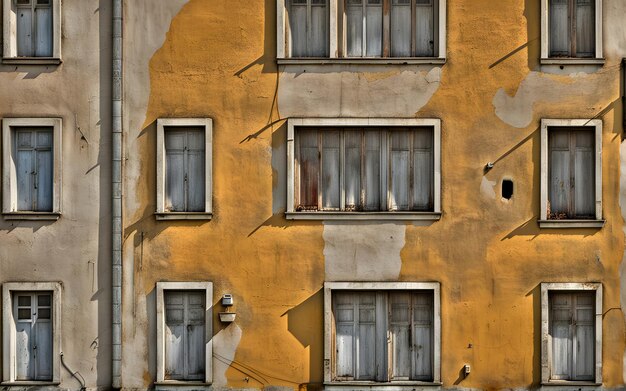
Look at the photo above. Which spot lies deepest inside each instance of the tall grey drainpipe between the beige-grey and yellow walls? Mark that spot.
(116, 206)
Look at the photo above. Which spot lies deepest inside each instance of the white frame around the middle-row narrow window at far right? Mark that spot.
(544, 221)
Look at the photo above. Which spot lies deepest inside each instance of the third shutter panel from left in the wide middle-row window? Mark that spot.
(352, 169)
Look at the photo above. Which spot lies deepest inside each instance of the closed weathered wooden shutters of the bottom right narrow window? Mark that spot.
(572, 330)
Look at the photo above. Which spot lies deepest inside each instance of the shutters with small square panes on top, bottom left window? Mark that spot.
(33, 336)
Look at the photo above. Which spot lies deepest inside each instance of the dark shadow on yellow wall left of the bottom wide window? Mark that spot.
(310, 334)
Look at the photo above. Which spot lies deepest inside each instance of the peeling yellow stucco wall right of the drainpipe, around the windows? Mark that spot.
(217, 60)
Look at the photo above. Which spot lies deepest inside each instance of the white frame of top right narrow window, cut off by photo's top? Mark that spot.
(545, 39)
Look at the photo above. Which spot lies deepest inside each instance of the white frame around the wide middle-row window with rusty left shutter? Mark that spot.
(293, 123)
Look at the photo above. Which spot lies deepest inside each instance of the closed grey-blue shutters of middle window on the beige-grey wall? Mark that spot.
(34, 169)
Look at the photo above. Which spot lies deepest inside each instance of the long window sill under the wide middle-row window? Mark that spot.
(359, 216)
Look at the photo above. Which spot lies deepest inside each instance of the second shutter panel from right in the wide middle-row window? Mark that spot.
(400, 169)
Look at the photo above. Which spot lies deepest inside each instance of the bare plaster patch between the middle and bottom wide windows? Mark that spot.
(363, 252)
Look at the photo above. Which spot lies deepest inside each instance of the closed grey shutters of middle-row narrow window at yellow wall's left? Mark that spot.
(185, 170)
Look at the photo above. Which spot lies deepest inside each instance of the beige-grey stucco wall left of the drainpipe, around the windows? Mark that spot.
(74, 250)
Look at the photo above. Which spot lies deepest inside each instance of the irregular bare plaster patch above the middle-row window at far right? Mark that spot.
(518, 110)
